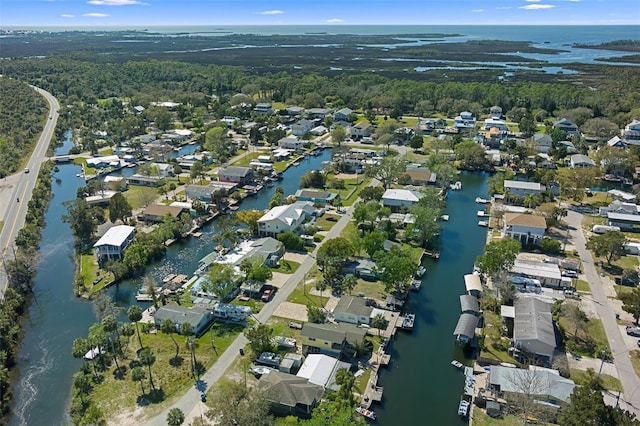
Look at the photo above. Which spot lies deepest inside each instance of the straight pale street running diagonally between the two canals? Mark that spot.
(190, 403)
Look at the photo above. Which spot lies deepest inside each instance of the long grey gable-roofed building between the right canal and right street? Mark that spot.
(533, 332)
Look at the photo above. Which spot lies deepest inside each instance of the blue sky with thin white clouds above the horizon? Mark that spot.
(34, 13)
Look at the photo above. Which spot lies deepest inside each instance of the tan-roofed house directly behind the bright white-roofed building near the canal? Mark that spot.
(335, 340)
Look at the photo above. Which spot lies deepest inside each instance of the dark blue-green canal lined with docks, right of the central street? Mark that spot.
(420, 385)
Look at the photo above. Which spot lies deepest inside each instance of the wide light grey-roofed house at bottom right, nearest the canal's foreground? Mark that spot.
(543, 384)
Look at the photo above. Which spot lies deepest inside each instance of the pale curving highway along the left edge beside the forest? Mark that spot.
(20, 186)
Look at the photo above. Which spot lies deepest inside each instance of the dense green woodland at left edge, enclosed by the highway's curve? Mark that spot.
(22, 112)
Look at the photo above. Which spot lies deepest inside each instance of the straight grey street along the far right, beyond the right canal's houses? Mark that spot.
(630, 381)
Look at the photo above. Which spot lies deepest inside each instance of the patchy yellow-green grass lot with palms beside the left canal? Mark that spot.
(171, 373)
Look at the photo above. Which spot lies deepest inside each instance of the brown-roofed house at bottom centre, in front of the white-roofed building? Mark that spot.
(289, 394)
